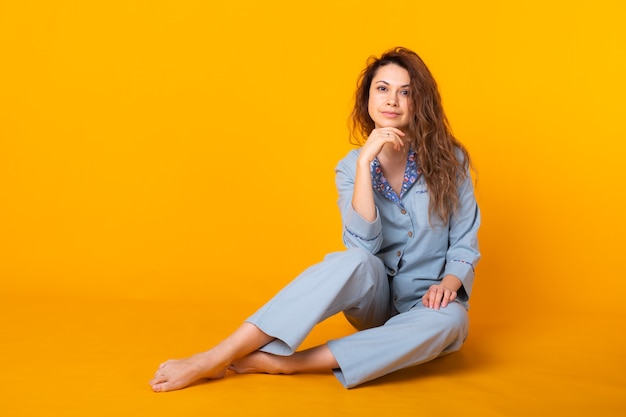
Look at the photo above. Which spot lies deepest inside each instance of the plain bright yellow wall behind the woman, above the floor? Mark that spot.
(179, 148)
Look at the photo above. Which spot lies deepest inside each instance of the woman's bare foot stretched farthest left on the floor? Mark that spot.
(177, 374)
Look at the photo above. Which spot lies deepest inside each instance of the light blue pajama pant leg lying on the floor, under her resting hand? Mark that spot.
(407, 339)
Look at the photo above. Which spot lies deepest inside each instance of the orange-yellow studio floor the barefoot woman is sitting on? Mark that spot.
(84, 356)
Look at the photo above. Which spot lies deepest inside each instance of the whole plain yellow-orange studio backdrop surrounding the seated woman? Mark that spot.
(166, 166)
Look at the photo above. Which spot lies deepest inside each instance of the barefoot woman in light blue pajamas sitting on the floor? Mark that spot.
(410, 225)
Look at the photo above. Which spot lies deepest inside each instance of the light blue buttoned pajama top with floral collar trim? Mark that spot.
(416, 253)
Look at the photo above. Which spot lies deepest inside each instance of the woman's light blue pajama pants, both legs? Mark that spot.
(355, 282)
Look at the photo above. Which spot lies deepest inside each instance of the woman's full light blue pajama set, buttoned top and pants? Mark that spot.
(378, 283)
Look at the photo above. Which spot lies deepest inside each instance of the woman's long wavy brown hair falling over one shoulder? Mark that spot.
(429, 130)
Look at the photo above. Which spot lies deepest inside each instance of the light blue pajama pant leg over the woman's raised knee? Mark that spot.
(353, 280)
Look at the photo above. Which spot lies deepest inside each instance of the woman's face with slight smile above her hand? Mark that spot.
(389, 102)
